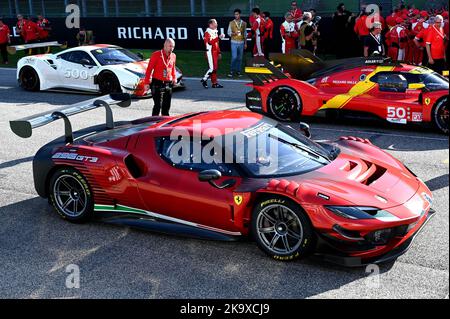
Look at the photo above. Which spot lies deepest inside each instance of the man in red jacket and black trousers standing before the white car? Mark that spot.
(161, 76)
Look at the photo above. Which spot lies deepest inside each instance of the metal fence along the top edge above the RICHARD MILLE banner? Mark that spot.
(139, 8)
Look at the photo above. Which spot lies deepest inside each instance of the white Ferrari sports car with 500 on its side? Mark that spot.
(98, 68)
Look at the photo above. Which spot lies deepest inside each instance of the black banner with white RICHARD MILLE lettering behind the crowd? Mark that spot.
(150, 32)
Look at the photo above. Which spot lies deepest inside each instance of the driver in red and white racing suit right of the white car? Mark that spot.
(213, 55)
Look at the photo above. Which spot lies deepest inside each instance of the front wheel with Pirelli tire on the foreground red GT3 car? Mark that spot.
(281, 229)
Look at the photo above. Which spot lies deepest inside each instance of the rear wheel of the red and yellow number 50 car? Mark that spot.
(284, 104)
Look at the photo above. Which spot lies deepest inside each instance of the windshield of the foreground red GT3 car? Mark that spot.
(270, 149)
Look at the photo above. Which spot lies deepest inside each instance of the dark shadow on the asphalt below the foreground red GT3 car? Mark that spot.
(115, 262)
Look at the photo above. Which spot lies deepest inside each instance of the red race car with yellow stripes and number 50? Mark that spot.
(307, 86)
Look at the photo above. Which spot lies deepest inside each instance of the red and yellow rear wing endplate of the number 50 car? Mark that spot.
(262, 71)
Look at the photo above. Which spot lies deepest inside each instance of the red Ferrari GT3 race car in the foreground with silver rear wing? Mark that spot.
(346, 201)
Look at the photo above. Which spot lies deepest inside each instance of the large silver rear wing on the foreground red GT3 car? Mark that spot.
(24, 127)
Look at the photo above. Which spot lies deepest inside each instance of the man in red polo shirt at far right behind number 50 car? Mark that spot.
(435, 42)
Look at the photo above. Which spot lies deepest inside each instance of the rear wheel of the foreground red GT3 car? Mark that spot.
(71, 196)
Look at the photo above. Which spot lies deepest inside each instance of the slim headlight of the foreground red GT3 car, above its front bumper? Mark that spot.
(354, 212)
